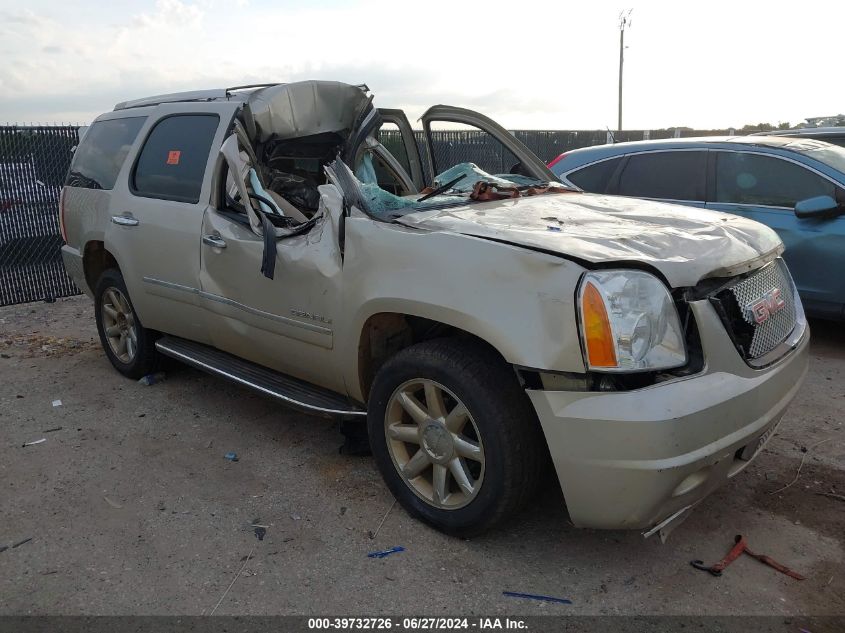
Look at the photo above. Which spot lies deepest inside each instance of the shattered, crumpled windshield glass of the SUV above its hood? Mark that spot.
(458, 183)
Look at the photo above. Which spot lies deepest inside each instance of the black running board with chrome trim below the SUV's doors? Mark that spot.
(290, 391)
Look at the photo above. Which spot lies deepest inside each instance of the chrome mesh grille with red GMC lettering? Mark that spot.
(774, 322)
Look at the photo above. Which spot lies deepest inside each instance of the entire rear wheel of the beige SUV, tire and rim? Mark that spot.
(129, 346)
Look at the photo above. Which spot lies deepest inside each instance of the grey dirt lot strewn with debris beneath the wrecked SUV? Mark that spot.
(132, 508)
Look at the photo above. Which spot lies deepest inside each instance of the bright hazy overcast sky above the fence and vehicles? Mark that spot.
(540, 65)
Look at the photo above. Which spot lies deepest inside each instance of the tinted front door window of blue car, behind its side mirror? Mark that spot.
(765, 180)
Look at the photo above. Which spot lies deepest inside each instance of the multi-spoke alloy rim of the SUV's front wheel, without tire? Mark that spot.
(434, 443)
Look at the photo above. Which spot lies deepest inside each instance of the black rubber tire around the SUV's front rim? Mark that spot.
(513, 445)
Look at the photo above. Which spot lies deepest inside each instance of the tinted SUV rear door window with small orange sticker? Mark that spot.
(172, 162)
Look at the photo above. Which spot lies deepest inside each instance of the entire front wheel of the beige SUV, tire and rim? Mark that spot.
(454, 435)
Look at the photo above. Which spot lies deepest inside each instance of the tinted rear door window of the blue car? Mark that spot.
(665, 175)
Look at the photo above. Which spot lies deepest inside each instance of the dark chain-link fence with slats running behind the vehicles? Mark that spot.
(35, 160)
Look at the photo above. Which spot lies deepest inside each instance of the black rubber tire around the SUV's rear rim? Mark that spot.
(145, 359)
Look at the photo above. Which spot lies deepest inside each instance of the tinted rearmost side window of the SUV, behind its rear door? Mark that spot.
(101, 153)
